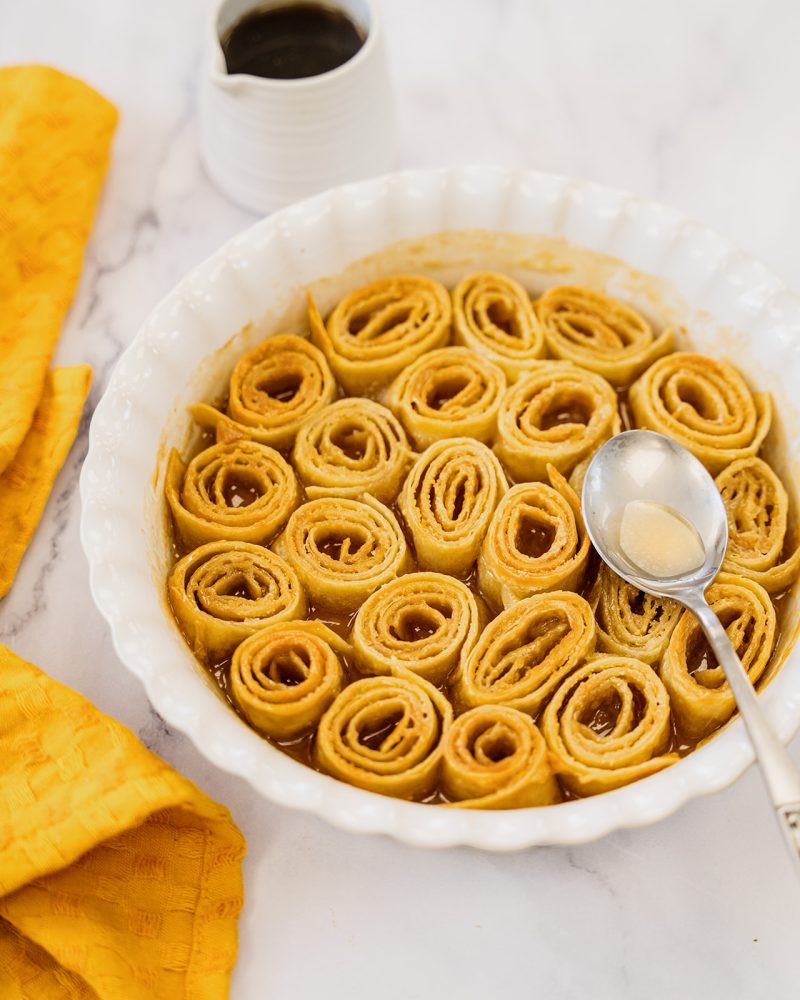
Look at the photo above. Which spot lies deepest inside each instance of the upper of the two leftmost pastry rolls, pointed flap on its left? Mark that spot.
(242, 492)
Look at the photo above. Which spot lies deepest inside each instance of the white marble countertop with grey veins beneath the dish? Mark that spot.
(692, 102)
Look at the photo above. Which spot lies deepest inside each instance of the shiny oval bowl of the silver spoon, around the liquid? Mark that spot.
(643, 465)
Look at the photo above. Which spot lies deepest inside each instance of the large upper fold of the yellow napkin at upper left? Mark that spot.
(55, 134)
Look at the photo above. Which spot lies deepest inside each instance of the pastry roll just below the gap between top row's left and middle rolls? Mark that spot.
(452, 391)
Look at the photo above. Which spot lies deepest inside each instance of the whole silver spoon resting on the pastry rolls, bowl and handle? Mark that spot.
(642, 465)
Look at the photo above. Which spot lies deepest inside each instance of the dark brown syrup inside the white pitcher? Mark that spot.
(291, 42)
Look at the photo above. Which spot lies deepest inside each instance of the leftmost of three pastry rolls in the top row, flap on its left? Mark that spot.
(376, 331)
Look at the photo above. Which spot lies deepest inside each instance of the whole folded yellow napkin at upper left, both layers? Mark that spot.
(55, 136)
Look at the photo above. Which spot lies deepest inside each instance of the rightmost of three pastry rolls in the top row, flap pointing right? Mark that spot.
(599, 333)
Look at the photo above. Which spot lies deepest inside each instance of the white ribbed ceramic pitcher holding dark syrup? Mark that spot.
(268, 142)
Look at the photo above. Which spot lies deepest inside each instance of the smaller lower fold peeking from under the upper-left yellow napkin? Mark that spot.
(26, 482)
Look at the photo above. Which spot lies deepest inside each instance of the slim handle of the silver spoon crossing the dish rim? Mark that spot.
(780, 773)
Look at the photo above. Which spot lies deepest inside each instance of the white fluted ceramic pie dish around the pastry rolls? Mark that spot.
(442, 223)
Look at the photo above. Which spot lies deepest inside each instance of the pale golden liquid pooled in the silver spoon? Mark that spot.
(659, 540)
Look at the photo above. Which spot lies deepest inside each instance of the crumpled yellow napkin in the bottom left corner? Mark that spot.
(118, 878)
